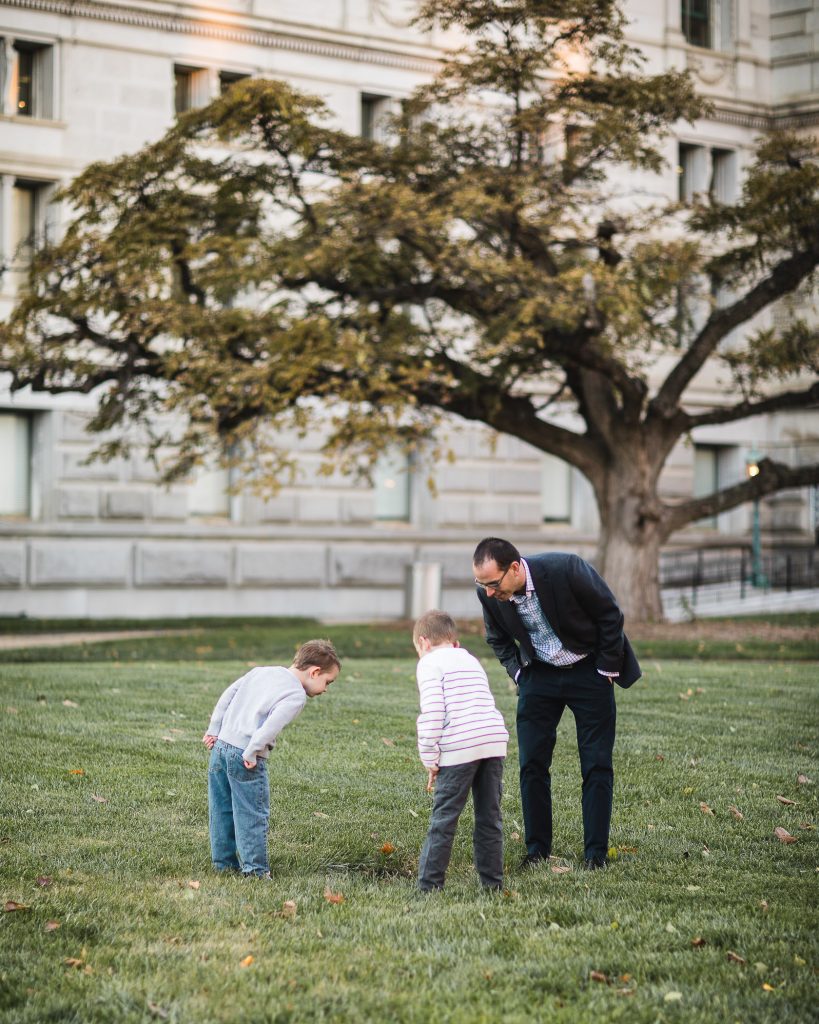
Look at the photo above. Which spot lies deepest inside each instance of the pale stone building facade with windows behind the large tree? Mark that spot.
(83, 81)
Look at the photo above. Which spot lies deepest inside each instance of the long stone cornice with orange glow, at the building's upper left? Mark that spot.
(215, 29)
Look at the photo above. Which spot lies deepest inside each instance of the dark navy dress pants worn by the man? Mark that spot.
(545, 692)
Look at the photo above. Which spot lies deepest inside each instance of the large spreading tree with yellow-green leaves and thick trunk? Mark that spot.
(486, 260)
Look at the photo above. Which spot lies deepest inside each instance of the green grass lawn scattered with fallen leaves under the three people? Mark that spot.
(105, 800)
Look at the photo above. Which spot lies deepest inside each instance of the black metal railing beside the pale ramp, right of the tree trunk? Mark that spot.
(779, 569)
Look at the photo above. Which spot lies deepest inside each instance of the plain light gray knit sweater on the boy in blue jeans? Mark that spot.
(256, 708)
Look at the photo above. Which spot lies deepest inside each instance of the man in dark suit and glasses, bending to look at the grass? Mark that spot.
(557, 630)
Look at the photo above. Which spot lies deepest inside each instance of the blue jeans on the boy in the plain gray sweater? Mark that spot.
(239, 806)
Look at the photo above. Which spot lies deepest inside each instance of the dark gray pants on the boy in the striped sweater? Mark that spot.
(453, 786)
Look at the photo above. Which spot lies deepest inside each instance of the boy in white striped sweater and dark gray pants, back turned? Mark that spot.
(462, 741)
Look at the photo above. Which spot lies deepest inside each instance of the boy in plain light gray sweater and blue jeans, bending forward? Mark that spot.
(242, 733)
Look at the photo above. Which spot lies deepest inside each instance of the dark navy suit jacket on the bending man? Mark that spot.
(581, 610)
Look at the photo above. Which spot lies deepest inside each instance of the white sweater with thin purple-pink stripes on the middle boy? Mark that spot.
(459, 721)
